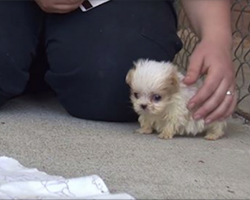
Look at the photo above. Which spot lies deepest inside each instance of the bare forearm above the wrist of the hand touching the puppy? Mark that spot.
(210, 19)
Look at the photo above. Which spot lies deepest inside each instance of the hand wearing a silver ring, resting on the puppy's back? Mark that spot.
(212, 101)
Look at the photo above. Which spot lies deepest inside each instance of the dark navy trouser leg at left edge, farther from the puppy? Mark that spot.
(20, 25)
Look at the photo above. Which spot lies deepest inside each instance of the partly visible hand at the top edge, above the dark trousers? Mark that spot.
(59, 6)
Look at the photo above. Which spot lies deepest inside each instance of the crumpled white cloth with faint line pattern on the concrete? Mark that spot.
(19, 182)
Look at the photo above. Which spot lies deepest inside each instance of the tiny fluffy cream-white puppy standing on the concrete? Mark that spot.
(160, 99)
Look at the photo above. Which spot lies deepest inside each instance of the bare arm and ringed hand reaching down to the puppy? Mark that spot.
(211, 20)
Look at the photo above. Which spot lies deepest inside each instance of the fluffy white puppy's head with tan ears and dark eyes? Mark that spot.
(152, 85)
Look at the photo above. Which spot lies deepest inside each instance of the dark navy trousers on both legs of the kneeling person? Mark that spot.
(85, 56)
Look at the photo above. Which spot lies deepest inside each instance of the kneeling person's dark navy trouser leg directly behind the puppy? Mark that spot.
(90, 53)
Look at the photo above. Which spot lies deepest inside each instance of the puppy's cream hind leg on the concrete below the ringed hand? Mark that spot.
(215, 130)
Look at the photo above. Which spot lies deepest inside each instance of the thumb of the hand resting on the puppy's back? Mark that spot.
(194, 69)
